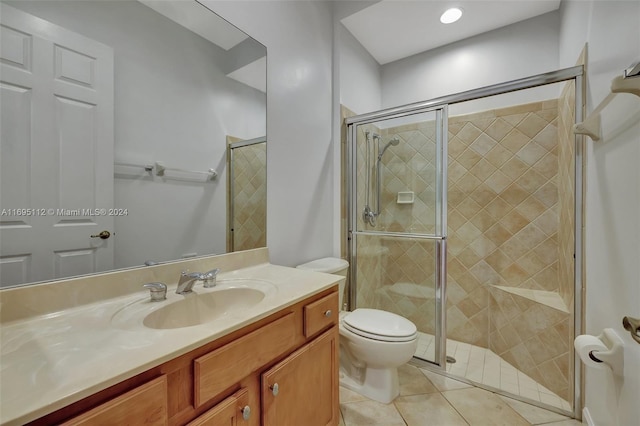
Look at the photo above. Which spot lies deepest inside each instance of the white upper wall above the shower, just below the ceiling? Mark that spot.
(520, 50)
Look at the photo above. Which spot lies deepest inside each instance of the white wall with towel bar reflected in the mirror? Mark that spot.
(174, 104)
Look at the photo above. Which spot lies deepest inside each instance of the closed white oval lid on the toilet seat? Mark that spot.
(380, 325)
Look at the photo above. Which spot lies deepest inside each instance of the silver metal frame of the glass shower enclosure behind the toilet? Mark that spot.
(575, 74)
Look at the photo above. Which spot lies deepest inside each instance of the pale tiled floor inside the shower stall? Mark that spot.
(480, 365)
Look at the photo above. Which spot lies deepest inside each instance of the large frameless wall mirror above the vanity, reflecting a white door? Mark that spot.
(117, 118)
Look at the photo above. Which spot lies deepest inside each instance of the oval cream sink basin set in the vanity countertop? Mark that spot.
(228, 297)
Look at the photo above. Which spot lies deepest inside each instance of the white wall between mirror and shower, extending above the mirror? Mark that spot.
(300, 157)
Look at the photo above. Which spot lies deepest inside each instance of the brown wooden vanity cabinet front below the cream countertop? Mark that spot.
(230, 381)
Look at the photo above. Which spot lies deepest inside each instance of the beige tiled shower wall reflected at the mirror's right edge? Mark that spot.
(250, 197)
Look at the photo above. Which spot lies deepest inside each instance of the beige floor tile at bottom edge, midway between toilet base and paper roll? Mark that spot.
(483, 408)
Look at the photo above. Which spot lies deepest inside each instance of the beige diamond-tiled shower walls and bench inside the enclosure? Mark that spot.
(510, 215)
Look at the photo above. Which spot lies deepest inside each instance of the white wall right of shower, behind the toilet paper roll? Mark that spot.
(612, 31)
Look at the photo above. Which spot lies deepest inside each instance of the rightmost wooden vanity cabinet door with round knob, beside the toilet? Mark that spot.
(303, 388)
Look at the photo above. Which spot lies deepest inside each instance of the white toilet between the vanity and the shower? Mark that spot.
(373, 343)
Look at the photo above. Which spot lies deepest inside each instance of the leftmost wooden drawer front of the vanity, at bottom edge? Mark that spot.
(146, 404)
